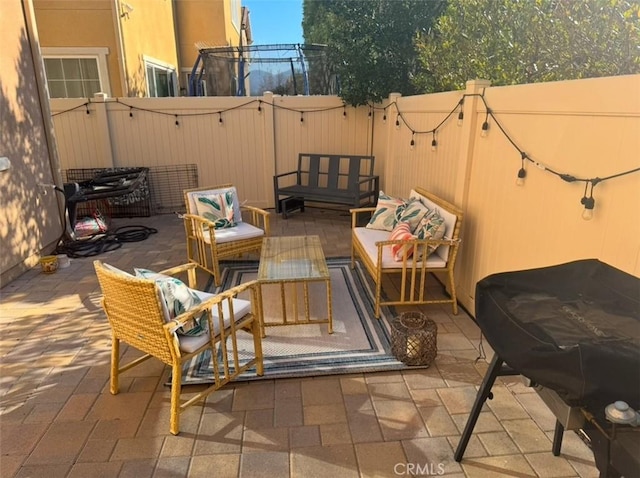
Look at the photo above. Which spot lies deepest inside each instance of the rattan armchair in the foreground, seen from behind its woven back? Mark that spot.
(138, 316)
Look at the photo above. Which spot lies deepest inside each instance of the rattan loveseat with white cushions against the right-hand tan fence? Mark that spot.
(373, 247)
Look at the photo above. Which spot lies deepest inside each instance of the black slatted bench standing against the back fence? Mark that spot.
(327, 178)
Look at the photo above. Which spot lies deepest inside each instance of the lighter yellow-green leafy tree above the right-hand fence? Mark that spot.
(528, 41)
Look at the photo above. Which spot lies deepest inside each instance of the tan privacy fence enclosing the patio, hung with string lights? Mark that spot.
(573, 139)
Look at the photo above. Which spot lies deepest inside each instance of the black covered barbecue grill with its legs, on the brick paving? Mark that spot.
(574, 331)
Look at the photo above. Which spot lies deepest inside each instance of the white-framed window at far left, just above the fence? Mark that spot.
(76, 72)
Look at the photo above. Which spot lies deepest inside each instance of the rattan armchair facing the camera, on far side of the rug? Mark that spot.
(206, 245)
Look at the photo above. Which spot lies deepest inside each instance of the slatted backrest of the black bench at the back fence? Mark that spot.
(333, 171)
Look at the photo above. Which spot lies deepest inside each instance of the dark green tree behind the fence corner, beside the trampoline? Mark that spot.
(371, 43)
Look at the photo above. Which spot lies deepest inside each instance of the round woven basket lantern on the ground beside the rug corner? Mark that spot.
(414, 339)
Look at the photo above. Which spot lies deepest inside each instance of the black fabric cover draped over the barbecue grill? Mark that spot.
(573, 327)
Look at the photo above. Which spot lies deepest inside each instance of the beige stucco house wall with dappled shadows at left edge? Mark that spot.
(29, 215)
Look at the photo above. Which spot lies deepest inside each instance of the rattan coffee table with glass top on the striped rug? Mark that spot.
(294, 261)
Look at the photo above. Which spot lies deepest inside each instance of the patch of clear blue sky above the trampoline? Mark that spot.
(275, 21)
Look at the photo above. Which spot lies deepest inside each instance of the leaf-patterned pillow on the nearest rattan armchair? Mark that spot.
(179, 299)
